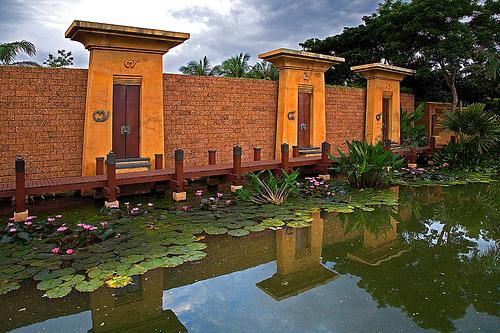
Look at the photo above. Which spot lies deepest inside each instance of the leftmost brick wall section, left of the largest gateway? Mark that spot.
(42, 118)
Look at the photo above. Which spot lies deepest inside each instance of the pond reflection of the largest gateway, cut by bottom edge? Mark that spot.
(134, 308)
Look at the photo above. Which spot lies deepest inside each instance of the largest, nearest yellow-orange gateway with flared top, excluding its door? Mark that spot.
(126, 56)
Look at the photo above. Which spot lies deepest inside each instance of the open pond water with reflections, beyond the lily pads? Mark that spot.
(429, 264)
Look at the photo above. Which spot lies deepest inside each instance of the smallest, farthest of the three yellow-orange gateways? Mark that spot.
(383, 88)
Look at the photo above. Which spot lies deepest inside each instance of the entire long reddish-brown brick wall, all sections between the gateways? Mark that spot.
(42, 118)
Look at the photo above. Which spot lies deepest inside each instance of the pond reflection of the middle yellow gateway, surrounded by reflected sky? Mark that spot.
(298, 253)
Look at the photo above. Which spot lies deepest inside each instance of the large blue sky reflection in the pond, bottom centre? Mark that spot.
(233, 303)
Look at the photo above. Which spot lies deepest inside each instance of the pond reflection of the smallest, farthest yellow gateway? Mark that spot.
(382, 247)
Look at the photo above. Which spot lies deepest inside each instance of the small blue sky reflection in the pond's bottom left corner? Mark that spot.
(80, 322)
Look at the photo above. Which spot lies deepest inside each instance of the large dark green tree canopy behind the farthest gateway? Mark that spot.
(453, 45)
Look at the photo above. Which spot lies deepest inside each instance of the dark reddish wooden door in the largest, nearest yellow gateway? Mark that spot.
(126, 101)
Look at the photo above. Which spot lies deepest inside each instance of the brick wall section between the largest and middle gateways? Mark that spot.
(204, 113)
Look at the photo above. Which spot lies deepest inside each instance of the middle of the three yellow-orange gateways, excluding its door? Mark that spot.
(300, 72)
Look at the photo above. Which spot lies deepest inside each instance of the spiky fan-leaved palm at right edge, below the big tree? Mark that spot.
(474, 127)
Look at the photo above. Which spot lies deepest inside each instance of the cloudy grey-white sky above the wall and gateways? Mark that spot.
(218, 28)
